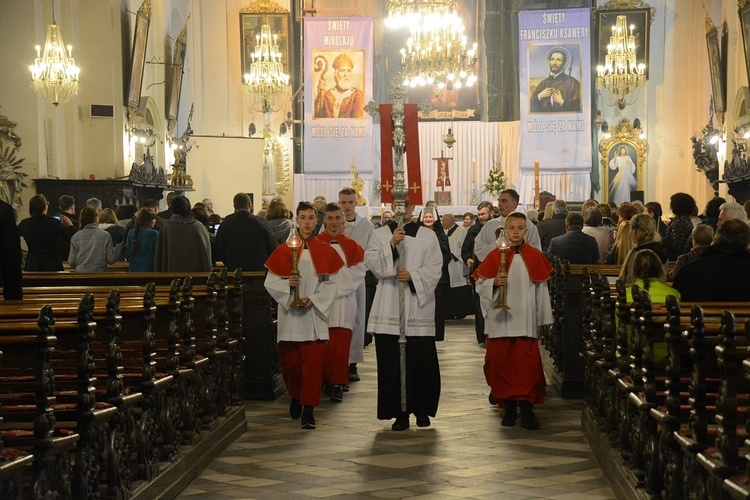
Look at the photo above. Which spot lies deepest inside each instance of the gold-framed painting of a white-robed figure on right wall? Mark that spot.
(623, 160)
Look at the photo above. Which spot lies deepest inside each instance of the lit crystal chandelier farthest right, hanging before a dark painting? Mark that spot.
(621, 75)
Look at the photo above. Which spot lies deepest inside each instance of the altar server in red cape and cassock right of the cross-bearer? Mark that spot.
(512, 363)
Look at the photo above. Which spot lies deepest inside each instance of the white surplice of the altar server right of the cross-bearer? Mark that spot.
(529, 304)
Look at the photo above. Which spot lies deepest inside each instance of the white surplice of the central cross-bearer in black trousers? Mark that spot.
(424, 260)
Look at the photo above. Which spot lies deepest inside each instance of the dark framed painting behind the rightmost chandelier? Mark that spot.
(639, 21)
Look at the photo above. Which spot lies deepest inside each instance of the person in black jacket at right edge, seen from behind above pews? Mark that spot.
(722, 272)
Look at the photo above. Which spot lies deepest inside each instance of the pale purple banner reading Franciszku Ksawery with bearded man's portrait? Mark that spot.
(555, 83)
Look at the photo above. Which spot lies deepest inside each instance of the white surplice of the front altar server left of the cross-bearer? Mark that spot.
(300, 325)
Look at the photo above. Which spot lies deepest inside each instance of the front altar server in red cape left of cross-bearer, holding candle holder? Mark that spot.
(303, 332)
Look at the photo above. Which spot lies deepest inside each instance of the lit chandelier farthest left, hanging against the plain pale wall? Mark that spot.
(54, 75)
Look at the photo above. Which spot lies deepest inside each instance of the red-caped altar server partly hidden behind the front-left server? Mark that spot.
(344, 312)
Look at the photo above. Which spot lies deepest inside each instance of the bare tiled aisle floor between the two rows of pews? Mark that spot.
(464, 454)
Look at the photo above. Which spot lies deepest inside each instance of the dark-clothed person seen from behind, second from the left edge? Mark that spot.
(42, 234)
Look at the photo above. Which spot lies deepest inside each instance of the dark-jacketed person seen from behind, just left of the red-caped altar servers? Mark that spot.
(244, 240)
